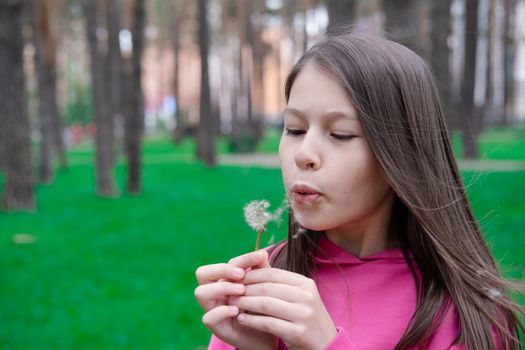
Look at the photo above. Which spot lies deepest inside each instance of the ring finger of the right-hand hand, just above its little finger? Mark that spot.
(272, 307)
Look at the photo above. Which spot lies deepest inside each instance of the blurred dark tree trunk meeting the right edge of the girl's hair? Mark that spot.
(441, 28)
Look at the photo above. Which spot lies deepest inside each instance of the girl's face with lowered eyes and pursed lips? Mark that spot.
(330, 174)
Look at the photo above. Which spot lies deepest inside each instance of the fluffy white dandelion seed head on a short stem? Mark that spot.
(257, 216)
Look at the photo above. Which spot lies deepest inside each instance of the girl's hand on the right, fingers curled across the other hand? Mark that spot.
(287, 305)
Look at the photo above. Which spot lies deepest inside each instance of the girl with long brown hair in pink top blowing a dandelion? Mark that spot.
(383, 250)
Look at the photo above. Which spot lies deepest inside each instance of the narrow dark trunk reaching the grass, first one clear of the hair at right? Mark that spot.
(469, 75)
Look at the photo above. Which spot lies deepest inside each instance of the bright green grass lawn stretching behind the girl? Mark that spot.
(119, 273)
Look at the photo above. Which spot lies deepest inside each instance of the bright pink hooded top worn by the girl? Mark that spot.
(371, 300)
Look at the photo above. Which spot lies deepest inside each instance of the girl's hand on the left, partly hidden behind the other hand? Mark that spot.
(217, 283)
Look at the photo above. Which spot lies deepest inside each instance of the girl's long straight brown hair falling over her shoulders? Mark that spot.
(393, 92)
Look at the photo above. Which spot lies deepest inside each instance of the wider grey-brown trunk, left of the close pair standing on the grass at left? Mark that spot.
(100, 91)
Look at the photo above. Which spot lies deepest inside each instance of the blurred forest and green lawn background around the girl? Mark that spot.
(132, 132)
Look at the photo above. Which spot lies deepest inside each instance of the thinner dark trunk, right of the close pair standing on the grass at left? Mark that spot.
(134, 120)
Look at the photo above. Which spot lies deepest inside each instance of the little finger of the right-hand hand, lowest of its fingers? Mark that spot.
(275, 326)
